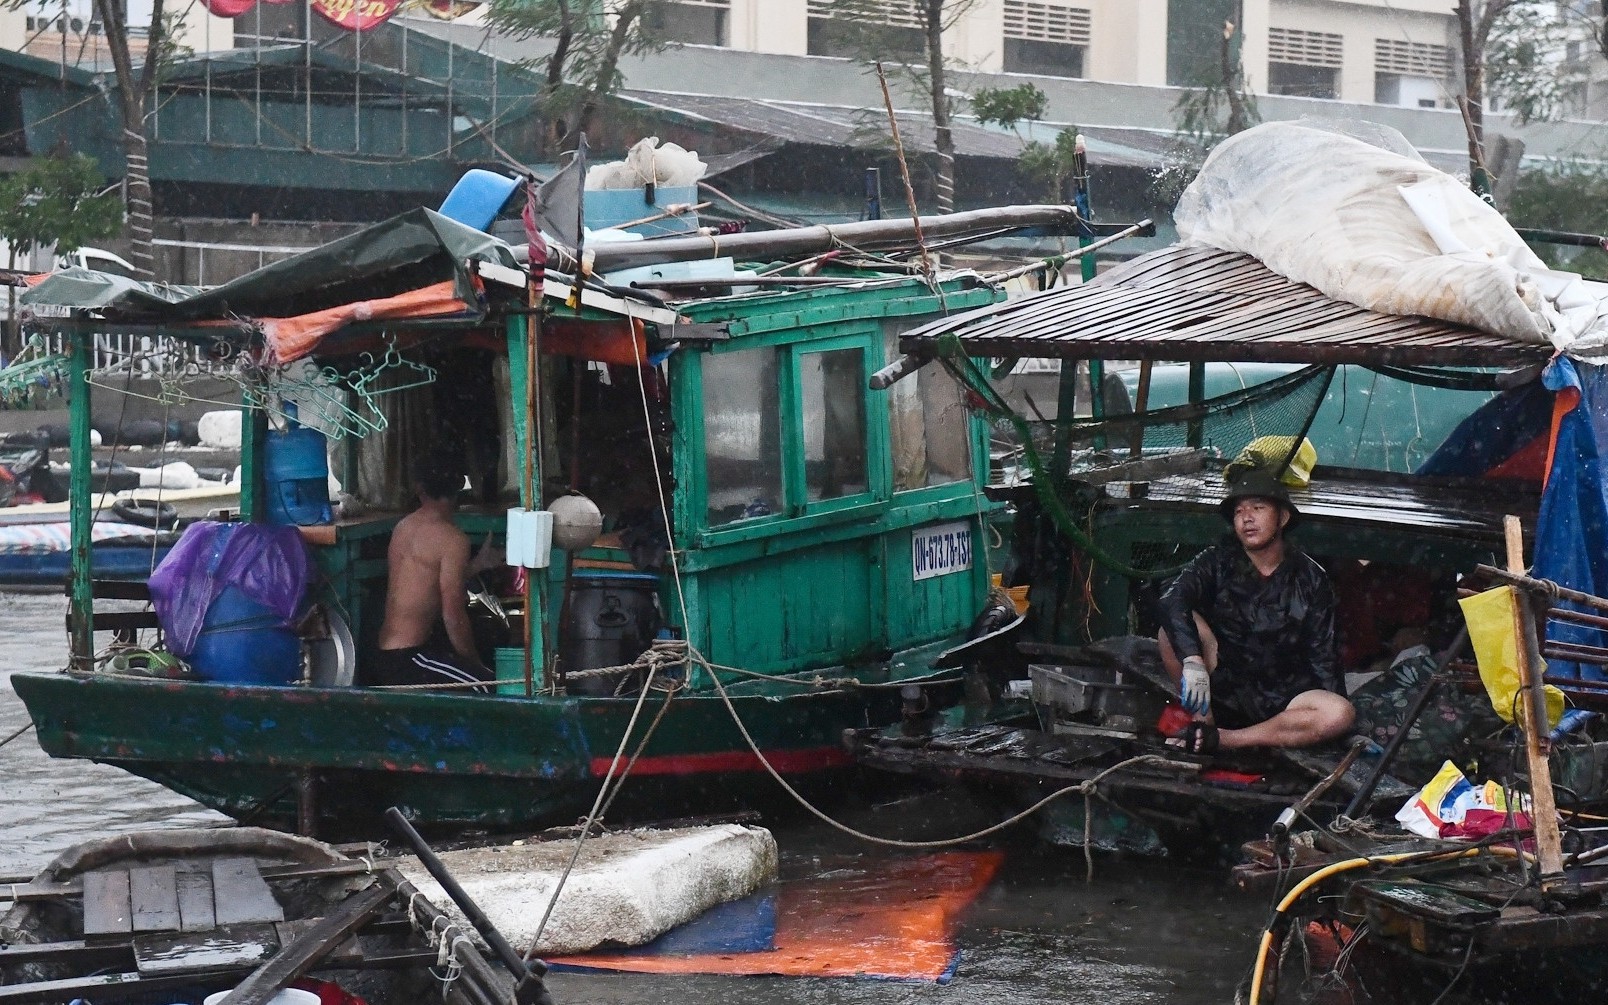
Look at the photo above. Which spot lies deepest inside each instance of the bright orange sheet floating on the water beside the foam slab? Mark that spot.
(888, 921)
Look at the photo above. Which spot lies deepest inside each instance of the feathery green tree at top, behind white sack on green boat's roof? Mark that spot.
(589, 41)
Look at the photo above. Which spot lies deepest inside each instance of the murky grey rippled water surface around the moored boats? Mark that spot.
(1142, 932)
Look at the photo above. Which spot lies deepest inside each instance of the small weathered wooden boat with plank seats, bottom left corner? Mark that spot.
(178, 916)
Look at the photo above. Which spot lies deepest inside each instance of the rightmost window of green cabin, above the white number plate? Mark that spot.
(929, 427)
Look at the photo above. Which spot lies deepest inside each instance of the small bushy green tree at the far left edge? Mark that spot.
(59, 202)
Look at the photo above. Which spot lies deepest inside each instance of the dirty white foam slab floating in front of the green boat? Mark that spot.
(625, 890)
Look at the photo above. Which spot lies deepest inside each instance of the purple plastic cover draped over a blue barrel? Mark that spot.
(269, 565)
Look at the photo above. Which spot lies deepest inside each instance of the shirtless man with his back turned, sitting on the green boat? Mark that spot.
(430, 564)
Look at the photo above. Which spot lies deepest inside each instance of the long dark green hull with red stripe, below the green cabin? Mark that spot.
(448, 760)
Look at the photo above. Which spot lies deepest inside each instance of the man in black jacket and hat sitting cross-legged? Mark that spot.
(1249, 633)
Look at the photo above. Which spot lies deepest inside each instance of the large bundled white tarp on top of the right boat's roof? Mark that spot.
(1382, 229)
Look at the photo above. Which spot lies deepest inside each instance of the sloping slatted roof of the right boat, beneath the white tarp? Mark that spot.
(1208, 305)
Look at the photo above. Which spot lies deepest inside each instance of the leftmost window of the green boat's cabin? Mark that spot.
(742, 435)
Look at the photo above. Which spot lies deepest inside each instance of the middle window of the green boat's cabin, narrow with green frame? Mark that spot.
(832, 392)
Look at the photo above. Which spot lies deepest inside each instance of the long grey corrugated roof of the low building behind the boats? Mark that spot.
(863, 128)
